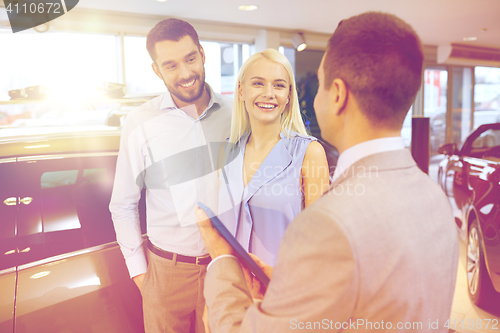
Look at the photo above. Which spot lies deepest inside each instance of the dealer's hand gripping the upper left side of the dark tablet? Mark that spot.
(214, 242)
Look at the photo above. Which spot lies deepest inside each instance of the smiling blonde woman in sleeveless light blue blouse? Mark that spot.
(272, 168)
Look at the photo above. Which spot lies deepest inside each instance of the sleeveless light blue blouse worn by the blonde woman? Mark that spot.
(259, 213)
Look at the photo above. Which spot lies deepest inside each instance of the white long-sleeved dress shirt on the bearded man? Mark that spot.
(174, 156)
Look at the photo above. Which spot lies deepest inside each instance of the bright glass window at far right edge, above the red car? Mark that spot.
(486, 96)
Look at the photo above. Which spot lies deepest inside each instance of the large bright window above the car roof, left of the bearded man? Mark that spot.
(67, 68)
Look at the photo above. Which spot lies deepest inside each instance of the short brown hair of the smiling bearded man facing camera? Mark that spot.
(170, 29)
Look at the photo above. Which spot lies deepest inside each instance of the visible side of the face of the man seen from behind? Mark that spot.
(323, 106)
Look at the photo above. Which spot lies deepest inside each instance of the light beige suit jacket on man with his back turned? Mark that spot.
(378, 251)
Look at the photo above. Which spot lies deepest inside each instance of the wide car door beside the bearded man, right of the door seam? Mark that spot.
(72, 276)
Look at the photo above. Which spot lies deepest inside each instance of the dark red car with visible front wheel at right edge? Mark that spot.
(470, 177)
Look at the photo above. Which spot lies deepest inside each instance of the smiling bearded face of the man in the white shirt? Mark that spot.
(180, 66)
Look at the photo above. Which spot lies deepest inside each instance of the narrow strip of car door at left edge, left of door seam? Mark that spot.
(8, 247)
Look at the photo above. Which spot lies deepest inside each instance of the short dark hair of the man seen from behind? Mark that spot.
(380, 59)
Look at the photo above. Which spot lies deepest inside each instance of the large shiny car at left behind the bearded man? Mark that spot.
(61, 269)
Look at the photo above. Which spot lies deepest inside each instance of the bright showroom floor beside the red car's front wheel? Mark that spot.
(466, 315)
